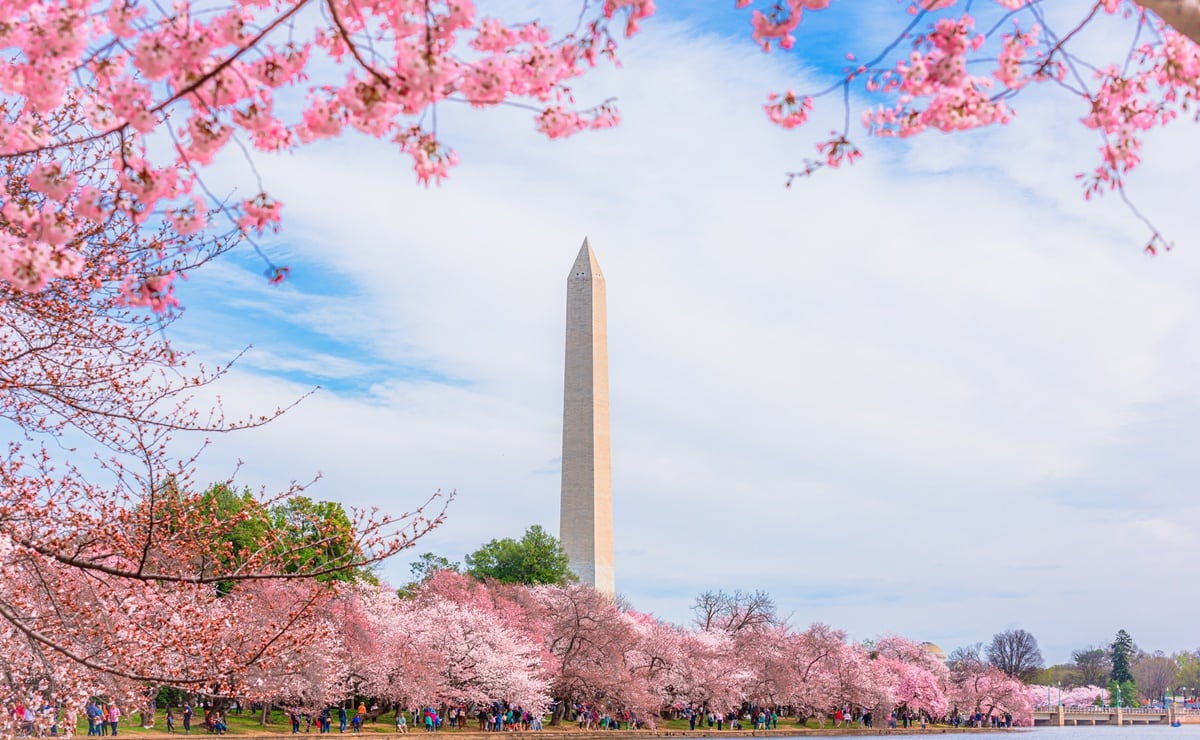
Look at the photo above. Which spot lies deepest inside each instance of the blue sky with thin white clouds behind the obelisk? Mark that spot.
(937, 394)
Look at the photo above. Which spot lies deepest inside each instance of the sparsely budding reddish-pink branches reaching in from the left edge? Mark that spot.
(119, 571)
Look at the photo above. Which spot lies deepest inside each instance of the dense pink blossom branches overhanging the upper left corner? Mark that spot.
(112, 111)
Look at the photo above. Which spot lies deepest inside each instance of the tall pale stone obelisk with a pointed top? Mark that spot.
(586, 516)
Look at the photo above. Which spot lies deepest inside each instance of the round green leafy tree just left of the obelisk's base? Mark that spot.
(537, 558)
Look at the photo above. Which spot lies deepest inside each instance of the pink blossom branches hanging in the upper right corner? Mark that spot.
(955, 67)
